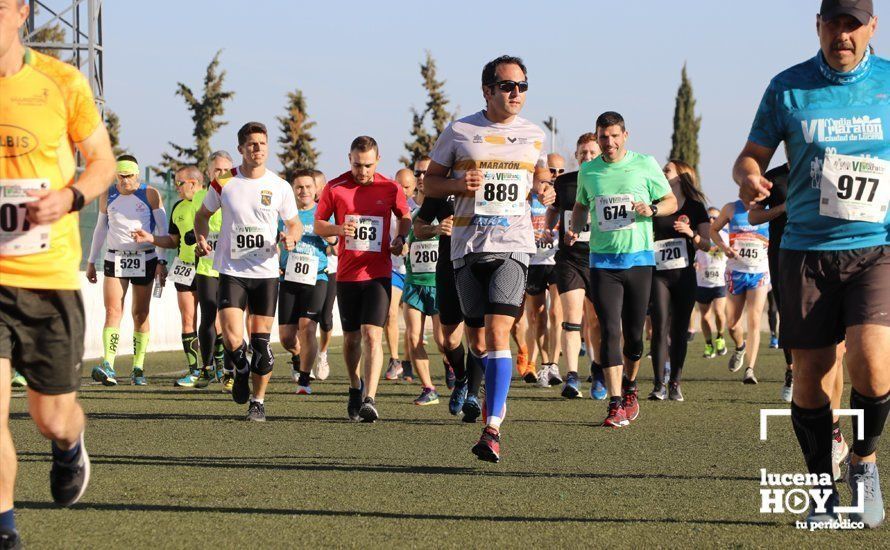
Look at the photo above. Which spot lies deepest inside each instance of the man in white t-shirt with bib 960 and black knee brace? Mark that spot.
(252, 200)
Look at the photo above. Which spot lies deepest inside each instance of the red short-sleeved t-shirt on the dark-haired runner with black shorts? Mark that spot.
(366, 256)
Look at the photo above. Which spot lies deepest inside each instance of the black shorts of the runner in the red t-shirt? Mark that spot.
(363, 303)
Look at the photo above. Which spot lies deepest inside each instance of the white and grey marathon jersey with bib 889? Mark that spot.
(504, 152)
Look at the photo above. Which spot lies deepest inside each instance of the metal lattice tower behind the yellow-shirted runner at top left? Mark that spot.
(73, 29)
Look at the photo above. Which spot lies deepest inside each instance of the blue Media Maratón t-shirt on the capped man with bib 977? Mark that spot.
(816, 110)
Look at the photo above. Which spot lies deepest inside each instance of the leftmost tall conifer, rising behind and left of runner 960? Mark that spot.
(205, 114)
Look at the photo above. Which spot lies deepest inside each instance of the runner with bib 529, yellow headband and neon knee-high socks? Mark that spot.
(127, 207)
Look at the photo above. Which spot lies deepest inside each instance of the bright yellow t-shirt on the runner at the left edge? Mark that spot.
(45, 108)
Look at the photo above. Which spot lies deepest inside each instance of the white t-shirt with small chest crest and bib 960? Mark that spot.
(251, 208)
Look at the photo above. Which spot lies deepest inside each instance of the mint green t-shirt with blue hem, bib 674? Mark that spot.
(619, 238)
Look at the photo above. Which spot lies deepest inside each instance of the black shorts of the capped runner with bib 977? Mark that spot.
(823, 293)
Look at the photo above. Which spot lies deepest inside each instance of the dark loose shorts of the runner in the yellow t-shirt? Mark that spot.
(41, 333)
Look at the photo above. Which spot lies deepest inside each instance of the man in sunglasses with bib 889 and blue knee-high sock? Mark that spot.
(490, 161)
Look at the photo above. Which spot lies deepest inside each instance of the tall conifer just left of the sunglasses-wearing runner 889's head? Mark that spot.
(436, 109)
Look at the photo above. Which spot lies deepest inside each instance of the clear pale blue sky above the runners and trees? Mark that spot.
(357, 64)
